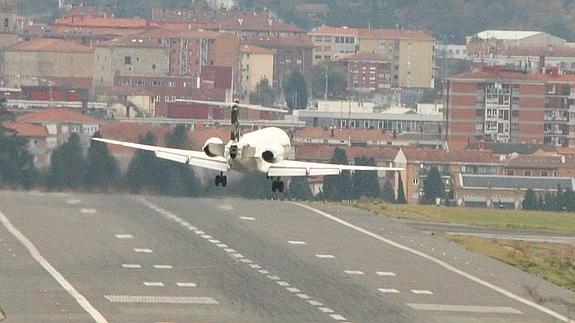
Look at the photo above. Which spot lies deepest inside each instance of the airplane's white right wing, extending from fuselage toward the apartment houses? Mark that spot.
(298, 168)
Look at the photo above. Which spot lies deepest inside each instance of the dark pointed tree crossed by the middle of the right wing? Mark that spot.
(338, 187)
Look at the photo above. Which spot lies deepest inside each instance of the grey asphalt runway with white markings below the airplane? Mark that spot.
(68, 257)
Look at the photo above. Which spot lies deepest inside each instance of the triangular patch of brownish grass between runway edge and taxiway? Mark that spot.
(553, 262)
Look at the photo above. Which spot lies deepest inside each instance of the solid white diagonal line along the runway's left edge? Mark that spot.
(84, 303)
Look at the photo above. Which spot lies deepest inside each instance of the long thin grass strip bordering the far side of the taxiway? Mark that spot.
(488, 217)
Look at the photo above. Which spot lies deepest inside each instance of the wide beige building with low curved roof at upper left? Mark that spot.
(130, 57)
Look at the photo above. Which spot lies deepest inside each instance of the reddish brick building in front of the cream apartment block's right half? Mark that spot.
(367, 73)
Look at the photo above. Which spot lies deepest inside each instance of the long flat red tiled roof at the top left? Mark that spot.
(132, 23)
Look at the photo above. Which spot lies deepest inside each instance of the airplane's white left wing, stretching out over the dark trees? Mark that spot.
(190, 157)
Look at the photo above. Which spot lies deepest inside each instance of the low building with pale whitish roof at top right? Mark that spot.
(517, 38)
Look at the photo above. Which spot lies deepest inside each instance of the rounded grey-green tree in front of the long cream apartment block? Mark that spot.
(336, 80)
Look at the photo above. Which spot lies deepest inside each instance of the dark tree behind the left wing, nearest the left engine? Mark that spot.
(177, 179)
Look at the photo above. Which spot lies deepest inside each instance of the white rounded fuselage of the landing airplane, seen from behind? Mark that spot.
(254, 146)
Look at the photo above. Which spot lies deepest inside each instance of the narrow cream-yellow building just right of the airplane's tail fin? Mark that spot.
(256, 64)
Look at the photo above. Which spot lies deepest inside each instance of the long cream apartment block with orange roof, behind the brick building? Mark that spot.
(410, 51)
